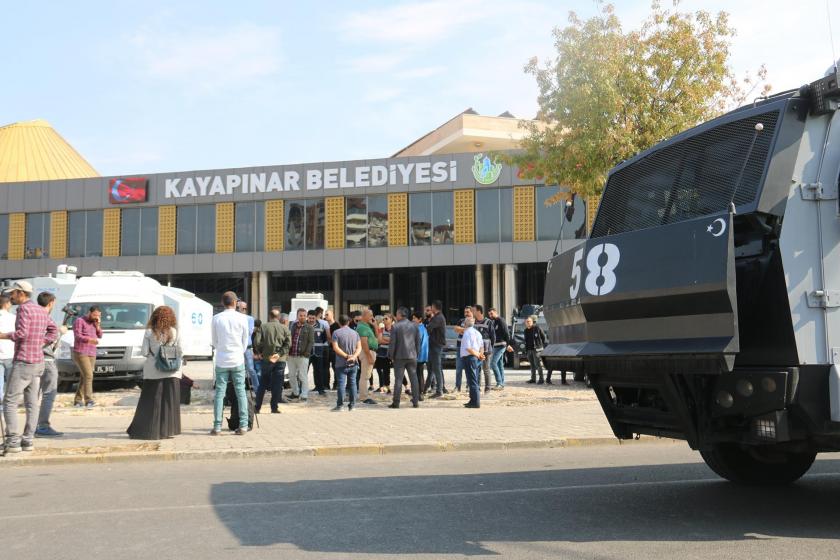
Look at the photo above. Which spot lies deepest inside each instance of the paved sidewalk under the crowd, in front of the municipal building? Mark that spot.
(520, 416)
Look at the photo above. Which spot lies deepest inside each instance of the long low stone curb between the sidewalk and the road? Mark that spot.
(86, 457)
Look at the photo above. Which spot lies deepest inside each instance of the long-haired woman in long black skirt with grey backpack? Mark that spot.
(158, 413)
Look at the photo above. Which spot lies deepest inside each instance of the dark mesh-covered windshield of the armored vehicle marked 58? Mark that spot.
(688, 179)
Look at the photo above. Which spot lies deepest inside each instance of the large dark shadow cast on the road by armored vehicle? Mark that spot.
(456, 514)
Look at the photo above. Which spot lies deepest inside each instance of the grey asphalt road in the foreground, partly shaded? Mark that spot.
(639, 501)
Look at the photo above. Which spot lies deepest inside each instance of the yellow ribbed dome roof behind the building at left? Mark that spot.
(33, 151)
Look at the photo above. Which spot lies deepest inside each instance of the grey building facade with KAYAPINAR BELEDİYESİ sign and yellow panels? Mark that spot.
(460, 227)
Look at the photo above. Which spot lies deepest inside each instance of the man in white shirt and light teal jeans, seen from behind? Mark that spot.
(231, 336)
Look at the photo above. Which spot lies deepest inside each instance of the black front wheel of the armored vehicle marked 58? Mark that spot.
(757, 466)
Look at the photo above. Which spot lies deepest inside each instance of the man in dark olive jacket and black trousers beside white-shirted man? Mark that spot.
(272, 340)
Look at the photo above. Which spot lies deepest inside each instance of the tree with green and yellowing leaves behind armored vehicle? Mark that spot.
(610, 94)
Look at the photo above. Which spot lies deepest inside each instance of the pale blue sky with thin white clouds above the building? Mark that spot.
(152, 86)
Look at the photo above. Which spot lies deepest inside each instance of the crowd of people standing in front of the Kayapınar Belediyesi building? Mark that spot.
(360, 349)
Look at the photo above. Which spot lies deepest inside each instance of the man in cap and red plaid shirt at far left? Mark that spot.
(33, 329)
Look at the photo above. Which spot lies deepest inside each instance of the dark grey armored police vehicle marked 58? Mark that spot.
(705, 306)
